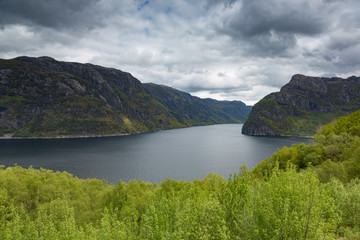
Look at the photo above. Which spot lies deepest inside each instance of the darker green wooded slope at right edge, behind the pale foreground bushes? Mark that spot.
(335, 152)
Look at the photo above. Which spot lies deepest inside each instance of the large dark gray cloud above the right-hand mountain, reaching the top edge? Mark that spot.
(271, 28)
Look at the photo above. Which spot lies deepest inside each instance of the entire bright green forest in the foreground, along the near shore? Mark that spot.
(301, 192)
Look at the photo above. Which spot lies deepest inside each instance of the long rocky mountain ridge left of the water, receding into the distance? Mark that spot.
(42, 97)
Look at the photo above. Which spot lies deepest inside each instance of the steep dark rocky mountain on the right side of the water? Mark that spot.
(303, 105)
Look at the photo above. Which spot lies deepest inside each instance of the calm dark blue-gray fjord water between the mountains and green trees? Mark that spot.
(180, 154)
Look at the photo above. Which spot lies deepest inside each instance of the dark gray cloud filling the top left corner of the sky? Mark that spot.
(52, 13)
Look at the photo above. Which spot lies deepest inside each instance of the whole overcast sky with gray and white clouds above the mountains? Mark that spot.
(223, 49)
